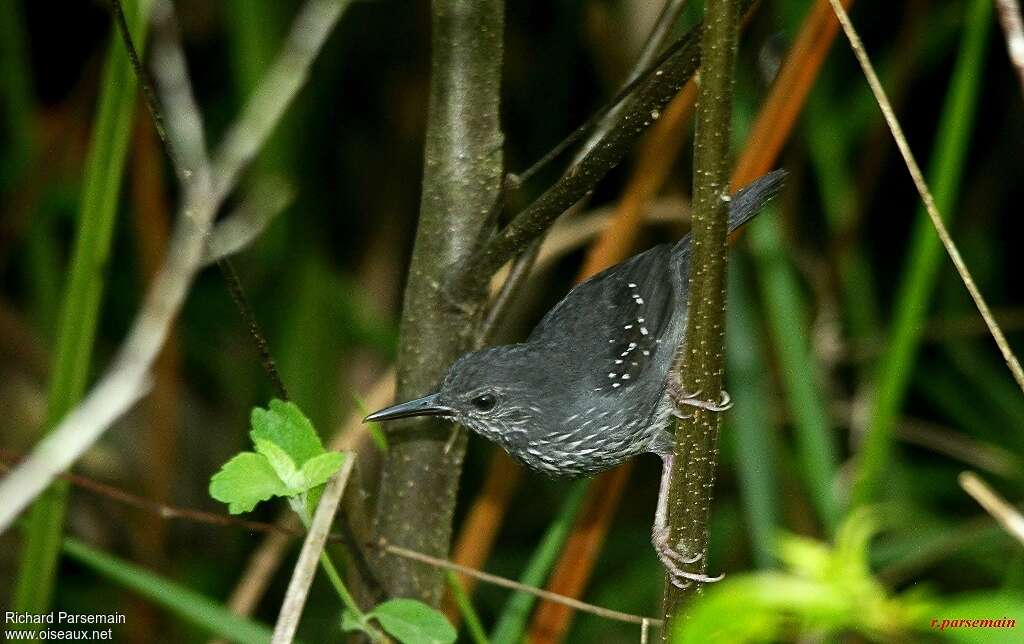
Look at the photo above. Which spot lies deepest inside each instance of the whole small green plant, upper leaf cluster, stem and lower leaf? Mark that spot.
(290, 462)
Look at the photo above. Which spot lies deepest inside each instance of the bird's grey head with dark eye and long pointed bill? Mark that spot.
(489, 392)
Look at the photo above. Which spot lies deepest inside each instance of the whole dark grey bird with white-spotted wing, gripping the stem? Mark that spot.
(595, 383)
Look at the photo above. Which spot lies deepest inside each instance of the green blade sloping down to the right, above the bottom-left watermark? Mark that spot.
(186, 604)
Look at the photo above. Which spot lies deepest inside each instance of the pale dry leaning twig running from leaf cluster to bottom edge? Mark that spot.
(310, 556)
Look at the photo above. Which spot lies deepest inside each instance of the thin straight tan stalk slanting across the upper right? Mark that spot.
(926, 195)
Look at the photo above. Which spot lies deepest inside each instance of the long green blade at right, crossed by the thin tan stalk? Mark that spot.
(926, 257)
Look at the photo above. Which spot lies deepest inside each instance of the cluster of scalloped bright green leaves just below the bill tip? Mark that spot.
(289, 460)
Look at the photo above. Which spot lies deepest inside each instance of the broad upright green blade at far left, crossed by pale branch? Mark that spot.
(102, 188)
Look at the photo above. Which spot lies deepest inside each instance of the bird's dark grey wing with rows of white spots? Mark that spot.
(622, 322)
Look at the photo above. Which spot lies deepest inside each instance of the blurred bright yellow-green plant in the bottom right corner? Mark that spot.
(827, 590)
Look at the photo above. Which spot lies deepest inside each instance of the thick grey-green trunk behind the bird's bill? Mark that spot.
(461, 186)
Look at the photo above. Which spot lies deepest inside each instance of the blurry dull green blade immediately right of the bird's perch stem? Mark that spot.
(752, 433)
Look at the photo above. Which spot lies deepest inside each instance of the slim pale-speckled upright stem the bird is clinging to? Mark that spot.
(694, 476)
